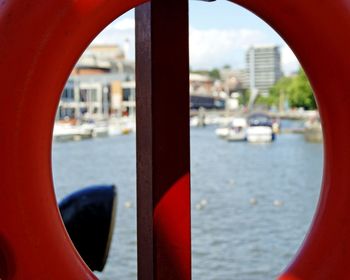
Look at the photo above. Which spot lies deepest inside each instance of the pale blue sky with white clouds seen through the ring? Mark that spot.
(220, 30)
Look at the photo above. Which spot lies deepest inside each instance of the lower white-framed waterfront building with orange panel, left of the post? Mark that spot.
(96, 97)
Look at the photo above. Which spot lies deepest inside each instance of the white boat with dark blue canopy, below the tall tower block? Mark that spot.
(260, 129)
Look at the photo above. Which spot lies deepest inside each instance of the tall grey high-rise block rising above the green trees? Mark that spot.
(263, 67)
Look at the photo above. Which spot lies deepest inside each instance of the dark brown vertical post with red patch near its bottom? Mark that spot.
(163, 153)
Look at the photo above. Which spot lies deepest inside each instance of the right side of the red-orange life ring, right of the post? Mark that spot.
(317, 31)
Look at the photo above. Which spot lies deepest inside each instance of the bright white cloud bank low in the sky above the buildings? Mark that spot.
(209, 48)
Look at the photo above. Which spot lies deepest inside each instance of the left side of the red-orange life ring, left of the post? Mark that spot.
(39, 44)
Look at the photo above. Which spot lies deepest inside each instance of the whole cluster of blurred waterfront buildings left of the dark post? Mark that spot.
(101, 85)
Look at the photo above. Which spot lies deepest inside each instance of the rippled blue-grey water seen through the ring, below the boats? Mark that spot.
(251, 204)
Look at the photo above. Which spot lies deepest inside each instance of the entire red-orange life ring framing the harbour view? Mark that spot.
(42, 37)
